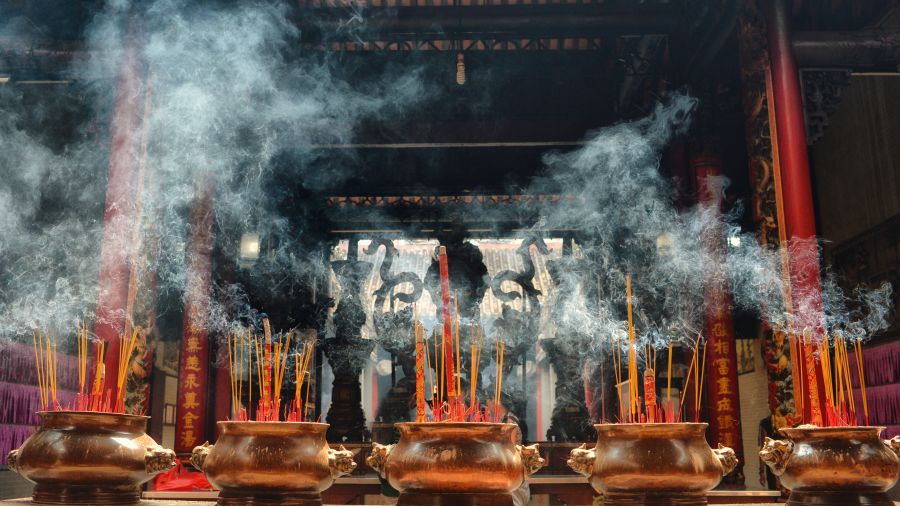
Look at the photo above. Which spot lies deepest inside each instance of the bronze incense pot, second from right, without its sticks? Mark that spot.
(638, 464)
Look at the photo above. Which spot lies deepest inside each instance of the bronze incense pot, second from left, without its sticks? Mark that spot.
(271, 463)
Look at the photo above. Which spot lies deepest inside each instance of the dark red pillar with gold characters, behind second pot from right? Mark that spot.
(721, 351)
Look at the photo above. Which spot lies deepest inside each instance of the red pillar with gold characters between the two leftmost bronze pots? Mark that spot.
(194, 365)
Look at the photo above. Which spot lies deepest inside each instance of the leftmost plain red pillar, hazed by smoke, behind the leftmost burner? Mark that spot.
(121, 214)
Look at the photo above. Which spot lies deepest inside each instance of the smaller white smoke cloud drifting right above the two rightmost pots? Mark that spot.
(627, 212)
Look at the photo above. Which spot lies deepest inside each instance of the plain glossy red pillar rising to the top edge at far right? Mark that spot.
(797, 198)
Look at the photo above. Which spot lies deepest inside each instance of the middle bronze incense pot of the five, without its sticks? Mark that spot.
(455, 463)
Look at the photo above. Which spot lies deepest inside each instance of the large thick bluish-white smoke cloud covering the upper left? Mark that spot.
(227, 92)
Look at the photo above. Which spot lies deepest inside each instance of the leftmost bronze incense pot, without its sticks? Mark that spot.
(81, 457)
